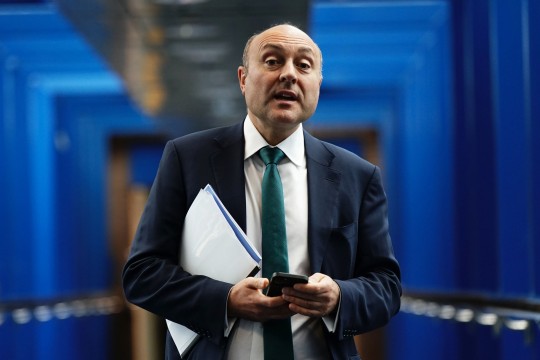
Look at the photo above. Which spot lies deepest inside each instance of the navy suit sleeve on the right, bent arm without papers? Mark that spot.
(372, 296)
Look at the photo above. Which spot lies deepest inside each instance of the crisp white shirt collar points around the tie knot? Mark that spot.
(293, 146)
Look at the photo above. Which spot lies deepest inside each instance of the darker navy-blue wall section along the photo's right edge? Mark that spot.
(497, 157)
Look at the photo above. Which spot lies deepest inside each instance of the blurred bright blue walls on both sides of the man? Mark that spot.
(450, 87)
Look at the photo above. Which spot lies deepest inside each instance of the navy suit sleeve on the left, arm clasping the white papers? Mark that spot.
(152, 277)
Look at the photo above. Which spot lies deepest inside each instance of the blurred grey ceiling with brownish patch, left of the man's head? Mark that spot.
(178, 58)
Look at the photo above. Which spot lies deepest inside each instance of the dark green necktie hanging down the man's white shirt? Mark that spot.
(277, 333)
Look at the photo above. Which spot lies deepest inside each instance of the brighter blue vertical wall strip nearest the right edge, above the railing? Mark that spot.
(512, 150)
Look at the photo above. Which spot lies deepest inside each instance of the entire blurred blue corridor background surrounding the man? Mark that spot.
(443, 95)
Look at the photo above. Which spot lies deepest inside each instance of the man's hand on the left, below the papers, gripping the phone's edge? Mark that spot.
(247, 301)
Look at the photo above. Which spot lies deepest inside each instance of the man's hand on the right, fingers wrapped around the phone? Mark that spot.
(318, 298)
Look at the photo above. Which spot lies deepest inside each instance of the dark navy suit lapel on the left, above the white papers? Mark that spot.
(228, 167)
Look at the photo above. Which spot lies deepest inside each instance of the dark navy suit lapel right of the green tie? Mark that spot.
(323, 187)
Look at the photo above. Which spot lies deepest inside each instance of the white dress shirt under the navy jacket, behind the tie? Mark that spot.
(247, 337)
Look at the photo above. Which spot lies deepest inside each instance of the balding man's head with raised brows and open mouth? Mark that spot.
(282, 82)
